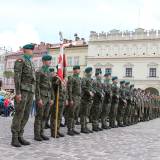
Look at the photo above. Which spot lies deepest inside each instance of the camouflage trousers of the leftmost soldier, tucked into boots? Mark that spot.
(22, 112)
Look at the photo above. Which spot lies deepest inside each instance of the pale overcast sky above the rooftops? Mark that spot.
(24, 21)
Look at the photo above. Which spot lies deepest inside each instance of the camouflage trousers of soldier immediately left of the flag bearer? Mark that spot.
(42, 113)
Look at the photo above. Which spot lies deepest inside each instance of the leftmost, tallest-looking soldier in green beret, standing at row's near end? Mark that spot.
(24, 77)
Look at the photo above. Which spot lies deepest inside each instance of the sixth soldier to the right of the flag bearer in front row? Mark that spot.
(122, 104)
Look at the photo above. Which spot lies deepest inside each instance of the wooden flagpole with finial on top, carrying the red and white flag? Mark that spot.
(57, 97)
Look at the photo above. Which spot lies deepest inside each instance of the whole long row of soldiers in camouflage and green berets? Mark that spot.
(105, 105)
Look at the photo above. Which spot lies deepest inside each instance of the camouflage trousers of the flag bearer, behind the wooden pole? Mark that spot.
(53, 116)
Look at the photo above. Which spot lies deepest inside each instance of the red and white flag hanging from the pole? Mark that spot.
(62, 63)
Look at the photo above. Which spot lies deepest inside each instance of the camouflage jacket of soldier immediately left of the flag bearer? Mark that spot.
(43, 84)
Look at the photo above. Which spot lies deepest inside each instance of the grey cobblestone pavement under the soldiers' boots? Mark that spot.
(138, 142)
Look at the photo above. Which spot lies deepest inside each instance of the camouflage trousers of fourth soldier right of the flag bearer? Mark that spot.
(106, 107)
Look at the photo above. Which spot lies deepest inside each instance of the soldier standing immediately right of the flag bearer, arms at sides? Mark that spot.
(74, 98)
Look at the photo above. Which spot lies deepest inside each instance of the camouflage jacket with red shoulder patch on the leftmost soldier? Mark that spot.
(24, 75)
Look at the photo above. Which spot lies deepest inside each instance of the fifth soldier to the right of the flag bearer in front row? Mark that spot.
(115, 102)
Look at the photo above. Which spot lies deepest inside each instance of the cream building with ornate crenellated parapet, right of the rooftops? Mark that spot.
(133, 56)
